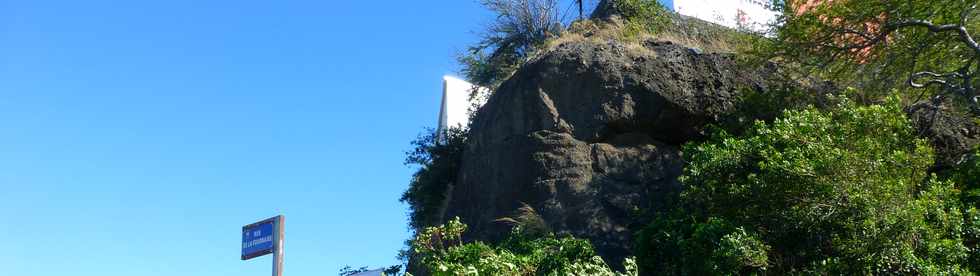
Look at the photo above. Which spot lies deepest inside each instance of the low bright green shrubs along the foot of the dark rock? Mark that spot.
(441, 251)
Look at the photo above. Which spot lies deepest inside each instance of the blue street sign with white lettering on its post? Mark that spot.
(265, 237)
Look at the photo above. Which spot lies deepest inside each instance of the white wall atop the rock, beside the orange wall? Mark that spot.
(750, 14)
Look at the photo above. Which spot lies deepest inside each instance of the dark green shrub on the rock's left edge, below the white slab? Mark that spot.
(439, 163)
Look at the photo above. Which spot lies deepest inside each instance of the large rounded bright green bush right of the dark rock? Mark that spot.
(843, 191)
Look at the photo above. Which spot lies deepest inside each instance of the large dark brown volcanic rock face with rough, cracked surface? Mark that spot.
(588, 134)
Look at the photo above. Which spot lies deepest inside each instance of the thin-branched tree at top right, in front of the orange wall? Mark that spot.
(881, 45)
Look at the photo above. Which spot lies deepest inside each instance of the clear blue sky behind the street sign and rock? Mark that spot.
(137, 138)
